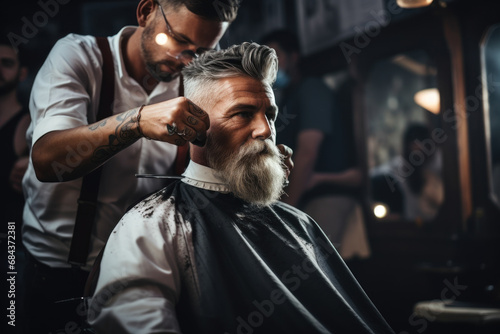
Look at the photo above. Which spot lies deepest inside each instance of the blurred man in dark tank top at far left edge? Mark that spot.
(14, 121)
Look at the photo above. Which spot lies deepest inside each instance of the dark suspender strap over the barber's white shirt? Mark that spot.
(87, 203)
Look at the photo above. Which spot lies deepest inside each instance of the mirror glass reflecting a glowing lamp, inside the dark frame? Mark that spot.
(403, 138)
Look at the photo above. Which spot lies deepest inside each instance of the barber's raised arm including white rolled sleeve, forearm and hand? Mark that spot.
(65, 145)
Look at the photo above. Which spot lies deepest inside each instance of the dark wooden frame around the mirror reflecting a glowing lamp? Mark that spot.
(431, 38)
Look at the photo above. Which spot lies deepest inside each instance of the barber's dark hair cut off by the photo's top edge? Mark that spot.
(217, 10)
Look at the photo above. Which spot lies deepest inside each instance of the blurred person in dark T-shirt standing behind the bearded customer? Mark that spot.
(325, 179)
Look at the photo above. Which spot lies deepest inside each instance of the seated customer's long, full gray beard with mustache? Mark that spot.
(255, 174)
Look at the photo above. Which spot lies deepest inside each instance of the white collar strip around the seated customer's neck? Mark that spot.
(203, 177)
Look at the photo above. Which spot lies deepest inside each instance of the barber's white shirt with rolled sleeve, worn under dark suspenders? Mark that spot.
(65, 92)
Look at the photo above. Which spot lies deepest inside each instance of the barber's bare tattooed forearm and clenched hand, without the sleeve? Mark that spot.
(68, 154)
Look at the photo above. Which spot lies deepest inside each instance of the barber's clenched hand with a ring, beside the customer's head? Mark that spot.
(175, 121)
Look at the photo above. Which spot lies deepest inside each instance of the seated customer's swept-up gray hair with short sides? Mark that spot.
(248, 59)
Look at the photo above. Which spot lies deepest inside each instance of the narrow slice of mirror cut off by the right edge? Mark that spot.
(491, 93)
